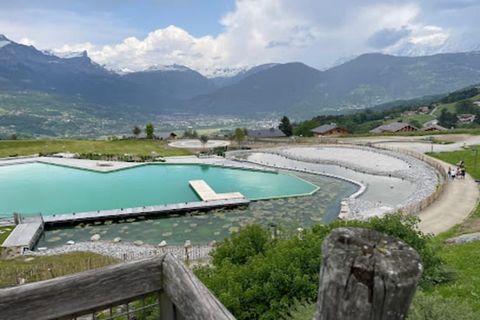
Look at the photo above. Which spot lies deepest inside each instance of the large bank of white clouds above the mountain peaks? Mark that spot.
(261, 31)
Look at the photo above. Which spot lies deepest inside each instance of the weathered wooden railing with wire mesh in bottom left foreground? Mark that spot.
(162, 287)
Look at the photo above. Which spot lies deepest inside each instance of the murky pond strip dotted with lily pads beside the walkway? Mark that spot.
(202, 227)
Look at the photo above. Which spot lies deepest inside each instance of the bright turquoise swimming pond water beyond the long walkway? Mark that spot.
(51, 189)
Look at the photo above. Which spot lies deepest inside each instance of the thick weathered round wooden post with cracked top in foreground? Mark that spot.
(366, 275)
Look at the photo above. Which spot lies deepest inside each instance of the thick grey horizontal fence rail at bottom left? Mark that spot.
(82, 293)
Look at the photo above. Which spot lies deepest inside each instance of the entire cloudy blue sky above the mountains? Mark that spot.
(213, 35)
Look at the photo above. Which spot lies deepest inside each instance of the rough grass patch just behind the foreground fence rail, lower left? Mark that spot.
(47, 267)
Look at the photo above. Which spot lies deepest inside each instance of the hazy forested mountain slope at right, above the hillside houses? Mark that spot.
(375, 78)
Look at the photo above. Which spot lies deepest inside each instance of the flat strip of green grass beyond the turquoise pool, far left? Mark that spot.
(137, 147)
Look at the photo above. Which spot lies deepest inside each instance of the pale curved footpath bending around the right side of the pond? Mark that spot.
(456, 203)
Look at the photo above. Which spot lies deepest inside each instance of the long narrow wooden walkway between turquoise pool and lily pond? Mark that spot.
(143, 211)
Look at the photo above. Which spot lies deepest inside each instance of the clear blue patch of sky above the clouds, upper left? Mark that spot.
(199, 17)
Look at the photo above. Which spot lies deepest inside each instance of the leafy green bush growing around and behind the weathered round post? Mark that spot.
(256, 277)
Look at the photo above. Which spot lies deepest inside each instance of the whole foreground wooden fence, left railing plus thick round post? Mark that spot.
(365, 275)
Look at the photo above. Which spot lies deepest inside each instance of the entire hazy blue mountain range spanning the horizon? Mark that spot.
(293, 88)
